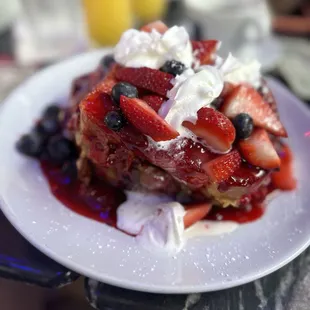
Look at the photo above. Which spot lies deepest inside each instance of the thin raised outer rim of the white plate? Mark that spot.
(127, 284)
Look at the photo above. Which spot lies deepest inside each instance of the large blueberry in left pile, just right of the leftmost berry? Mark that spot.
(60, 149)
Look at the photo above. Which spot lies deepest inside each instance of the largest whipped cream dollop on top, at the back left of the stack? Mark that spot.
(152, 49)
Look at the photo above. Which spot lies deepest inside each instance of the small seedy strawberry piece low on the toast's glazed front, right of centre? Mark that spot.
(222, 167)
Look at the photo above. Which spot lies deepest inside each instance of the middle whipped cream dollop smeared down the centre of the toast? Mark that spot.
(191, 92)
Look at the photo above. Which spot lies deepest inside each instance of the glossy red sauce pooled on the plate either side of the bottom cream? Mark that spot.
(99, 201)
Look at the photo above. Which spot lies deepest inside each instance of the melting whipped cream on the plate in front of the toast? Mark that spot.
(158, 224)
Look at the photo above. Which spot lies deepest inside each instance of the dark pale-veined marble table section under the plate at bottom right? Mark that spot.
(286, 289)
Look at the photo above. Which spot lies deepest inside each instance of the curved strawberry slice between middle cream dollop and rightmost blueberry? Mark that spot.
(215, 128)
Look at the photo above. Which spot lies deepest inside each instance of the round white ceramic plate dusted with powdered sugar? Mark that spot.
(100, 252)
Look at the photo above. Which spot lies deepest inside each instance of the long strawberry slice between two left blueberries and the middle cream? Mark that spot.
(144, 118)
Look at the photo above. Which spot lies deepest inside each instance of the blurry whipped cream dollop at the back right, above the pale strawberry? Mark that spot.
(236, 72)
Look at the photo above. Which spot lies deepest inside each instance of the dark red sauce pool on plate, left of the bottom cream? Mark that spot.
(97, 201)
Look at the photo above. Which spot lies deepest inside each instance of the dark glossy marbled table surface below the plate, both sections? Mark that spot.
(287, 289)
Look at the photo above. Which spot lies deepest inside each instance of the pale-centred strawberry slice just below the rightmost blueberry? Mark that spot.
(258, 150)
